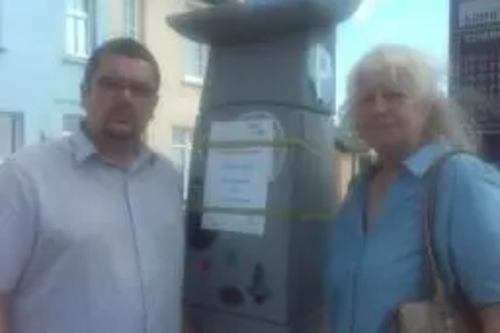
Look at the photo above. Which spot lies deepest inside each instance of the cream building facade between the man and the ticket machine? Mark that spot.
(182, 65)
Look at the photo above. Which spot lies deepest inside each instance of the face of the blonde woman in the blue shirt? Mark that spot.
(388, 115)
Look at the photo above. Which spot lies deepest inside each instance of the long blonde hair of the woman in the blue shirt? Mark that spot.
(416, 72)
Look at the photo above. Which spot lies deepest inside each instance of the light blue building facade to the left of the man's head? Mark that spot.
(43, 49)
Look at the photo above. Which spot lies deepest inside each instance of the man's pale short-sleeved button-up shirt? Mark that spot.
(86, 247)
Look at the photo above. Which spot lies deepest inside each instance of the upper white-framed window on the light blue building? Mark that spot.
(79, 28)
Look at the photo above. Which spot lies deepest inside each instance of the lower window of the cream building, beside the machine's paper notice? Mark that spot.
(181, 153)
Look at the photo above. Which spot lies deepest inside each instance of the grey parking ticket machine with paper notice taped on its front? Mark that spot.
(261, 189)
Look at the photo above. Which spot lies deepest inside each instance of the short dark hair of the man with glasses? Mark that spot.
(123, 46)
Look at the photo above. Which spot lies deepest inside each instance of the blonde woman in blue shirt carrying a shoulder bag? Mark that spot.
(376, 247)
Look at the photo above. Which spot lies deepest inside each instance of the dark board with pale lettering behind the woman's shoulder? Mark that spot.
(475, 62)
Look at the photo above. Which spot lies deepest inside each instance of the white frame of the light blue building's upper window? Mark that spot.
(73, 17)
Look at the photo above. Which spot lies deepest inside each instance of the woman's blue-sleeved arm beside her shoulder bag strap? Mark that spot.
(475, 236)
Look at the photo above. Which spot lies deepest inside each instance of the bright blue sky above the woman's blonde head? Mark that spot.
(419, 23)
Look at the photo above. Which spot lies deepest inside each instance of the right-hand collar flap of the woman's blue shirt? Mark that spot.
(420, 161)
